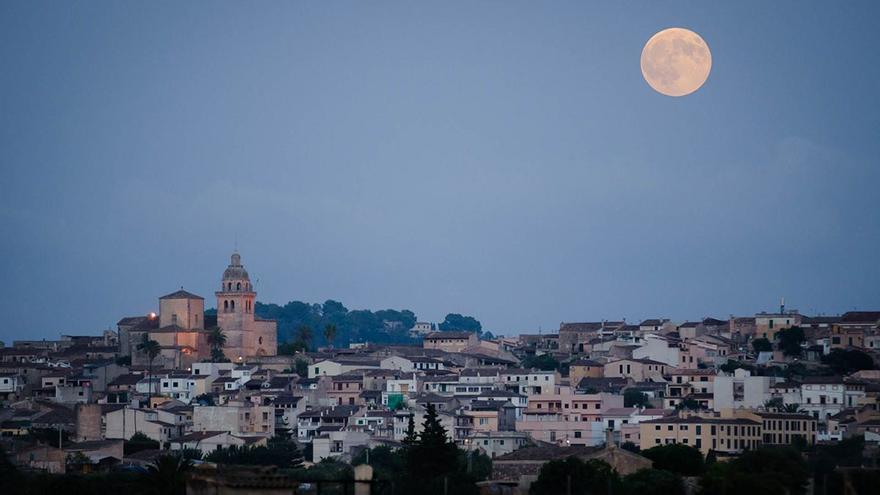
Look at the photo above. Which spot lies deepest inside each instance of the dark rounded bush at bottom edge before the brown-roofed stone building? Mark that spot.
(592, 477)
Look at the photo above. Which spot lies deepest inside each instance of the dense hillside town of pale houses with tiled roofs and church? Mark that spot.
(187, 379)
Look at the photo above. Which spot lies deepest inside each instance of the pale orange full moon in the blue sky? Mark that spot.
(676, 62)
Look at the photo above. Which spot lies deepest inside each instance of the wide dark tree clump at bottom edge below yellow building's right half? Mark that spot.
(766, 471)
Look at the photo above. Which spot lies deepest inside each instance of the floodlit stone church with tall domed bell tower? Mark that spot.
(181, 327)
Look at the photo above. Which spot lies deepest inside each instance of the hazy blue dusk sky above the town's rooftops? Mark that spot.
(505, 160)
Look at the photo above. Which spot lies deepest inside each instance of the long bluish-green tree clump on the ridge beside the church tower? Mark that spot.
(351, 326)
